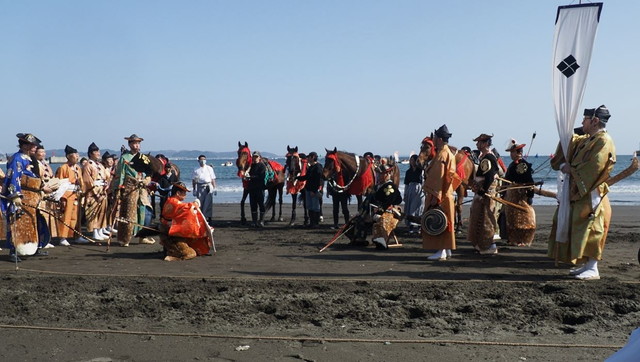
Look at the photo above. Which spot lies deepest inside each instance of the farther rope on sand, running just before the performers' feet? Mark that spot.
(307, 279)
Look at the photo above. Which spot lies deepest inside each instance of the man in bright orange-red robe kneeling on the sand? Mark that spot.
(187, 230)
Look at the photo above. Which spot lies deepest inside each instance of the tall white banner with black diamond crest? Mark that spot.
(575, 33)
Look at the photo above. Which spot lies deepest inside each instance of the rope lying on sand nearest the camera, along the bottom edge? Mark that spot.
(314, 339)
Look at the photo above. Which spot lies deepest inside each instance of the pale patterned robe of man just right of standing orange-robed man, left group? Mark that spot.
(94, 178)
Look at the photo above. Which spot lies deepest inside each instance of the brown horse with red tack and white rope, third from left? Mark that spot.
(349, 172)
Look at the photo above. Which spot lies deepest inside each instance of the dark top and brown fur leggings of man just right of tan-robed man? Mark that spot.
(482, 219)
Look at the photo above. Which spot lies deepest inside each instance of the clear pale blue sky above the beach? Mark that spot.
(359, 75)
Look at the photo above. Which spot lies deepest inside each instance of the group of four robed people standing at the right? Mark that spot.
(501, 206)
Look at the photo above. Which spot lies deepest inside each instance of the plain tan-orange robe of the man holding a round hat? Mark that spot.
(439, 185)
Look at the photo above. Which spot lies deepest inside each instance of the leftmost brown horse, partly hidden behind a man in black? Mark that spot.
(274, 186)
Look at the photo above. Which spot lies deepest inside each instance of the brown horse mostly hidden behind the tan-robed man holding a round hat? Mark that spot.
(465, 168)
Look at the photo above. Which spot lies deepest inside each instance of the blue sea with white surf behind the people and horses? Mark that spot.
(625, 192)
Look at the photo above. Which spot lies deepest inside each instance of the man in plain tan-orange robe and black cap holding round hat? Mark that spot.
(438, 188)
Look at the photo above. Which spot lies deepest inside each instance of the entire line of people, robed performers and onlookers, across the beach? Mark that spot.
(110, 196)
